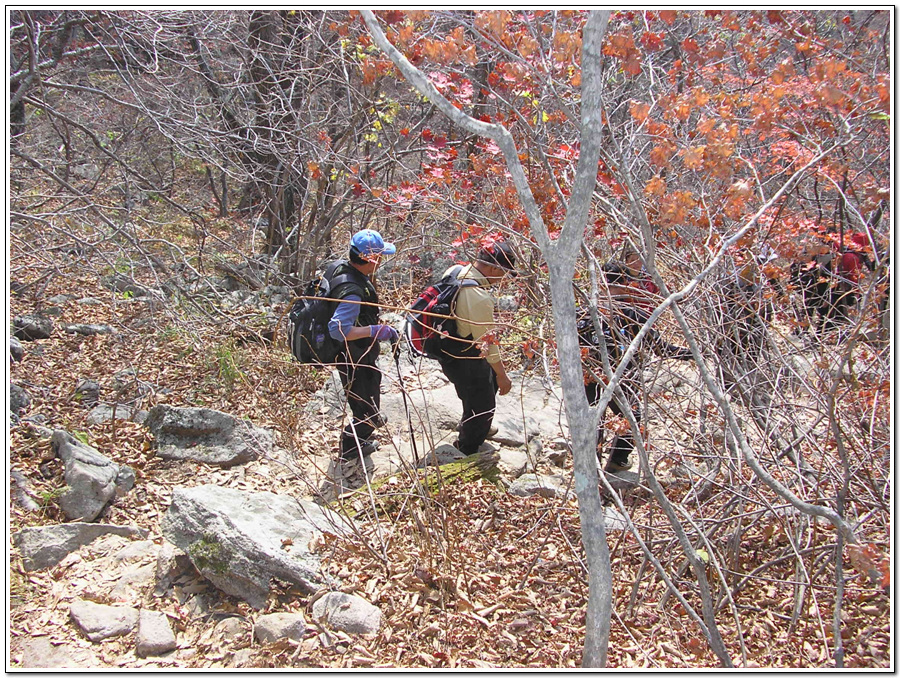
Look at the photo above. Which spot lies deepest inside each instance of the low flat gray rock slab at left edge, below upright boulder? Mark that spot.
(43, 547)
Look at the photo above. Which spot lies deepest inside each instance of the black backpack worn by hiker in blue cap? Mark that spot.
(308, 320)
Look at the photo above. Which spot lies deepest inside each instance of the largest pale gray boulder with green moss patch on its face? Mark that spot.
(240, 541)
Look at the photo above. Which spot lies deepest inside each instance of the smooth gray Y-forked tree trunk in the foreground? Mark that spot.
(561, 255)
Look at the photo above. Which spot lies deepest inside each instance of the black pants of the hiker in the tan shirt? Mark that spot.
(476, 386)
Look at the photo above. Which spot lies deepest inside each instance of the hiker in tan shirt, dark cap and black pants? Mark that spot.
(477, 376)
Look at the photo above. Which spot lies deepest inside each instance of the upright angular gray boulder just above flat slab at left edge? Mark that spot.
(92, 479)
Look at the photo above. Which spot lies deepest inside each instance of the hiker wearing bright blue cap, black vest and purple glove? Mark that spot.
(355, 323)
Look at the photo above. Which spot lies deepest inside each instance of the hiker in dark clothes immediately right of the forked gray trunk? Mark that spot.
(618, 329)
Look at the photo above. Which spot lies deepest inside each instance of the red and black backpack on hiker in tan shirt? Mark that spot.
(423, 330)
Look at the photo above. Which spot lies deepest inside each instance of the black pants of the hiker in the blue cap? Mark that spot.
(362, 385)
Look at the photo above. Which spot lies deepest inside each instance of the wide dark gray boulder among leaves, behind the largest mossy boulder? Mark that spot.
(206, 435)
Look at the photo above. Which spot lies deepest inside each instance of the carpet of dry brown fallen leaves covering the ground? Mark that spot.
(469, 578)
